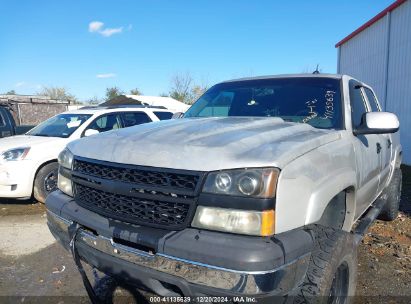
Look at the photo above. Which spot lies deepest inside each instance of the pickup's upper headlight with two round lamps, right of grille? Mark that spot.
(256, 182)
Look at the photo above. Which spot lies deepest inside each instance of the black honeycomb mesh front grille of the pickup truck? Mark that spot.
(161, 198)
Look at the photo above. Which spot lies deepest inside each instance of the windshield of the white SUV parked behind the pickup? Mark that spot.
(62, 125)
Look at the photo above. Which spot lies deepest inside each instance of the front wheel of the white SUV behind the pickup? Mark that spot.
(45, 181)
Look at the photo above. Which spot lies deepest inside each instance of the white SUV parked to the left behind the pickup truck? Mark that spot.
(28, 163)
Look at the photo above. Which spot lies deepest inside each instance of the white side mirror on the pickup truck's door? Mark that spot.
(378, 123)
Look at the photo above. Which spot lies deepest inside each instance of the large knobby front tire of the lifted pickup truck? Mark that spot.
(332, 271)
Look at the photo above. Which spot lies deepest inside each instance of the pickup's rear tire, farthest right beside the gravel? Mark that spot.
(393, 192)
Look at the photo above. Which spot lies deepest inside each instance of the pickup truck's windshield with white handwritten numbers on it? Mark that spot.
(312, 100)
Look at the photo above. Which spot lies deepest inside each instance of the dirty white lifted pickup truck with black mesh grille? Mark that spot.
(263, 189)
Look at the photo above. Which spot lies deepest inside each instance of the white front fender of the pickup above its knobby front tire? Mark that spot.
(307, 184)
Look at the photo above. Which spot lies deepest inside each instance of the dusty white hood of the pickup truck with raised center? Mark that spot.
(206, 144)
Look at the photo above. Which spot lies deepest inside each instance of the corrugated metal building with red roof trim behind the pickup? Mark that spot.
(379, 54)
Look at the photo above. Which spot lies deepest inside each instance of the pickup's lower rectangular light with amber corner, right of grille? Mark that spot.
(259, 223)
